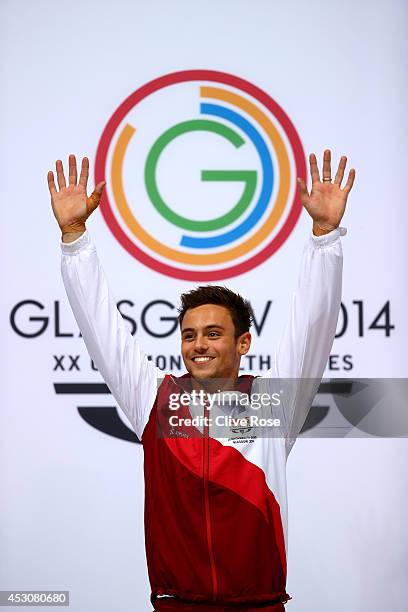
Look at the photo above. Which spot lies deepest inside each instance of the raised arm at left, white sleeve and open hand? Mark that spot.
(130, 376)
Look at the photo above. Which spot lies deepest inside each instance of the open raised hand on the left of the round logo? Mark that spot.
(70, 205)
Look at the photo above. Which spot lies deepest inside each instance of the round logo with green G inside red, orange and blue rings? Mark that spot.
(201, 171)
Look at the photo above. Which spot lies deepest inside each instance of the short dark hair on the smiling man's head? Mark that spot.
(241, 310)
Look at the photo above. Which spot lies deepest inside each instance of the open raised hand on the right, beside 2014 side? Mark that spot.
(326, 202)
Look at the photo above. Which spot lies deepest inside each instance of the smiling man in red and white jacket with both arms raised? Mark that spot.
(215, 509)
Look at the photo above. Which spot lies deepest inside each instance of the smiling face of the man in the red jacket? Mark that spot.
(208, 344)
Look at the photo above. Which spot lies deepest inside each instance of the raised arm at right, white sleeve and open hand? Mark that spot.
(308, 336)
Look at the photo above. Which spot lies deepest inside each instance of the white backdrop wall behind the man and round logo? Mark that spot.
(71, 513)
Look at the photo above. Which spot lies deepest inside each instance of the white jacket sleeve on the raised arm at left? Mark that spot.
(130, 376)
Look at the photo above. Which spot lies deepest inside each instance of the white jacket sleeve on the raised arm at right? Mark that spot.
(307, 338)
